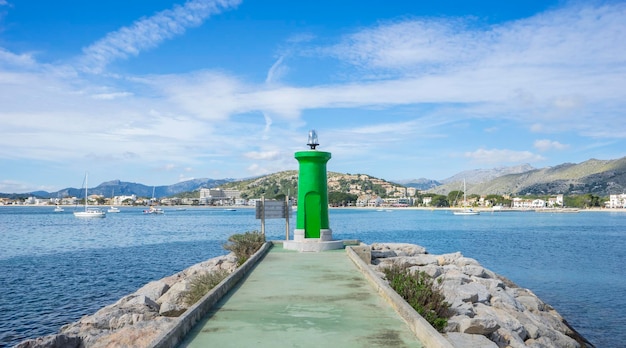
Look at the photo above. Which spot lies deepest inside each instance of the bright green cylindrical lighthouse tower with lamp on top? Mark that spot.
(312, 219)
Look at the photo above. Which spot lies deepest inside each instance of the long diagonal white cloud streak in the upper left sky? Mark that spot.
(149, 32)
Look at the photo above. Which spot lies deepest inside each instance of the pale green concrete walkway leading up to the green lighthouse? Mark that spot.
(294, 299)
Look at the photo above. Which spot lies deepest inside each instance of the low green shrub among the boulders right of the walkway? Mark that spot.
(420, 292)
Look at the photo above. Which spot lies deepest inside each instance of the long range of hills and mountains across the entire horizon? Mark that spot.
(599, 177)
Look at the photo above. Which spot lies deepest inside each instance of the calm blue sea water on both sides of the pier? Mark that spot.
(55, 268)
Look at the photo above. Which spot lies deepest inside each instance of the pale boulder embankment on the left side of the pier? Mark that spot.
(136, 320)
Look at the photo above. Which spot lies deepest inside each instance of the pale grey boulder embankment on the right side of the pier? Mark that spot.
(488, 310)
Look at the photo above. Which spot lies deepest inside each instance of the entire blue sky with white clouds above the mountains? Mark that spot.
(157, 92)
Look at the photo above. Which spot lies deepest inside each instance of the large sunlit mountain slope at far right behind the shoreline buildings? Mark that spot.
(599, 177)
